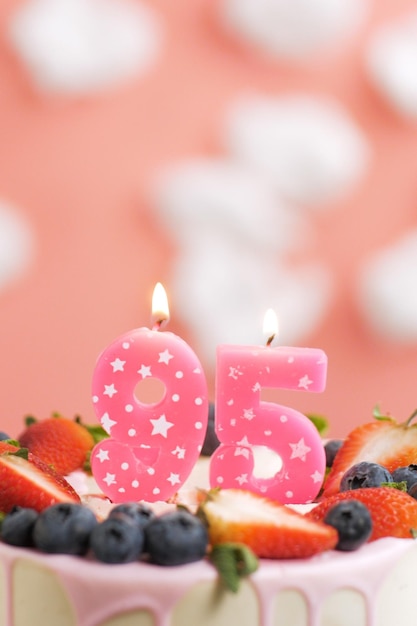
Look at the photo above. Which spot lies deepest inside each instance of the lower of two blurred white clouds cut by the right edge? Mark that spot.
(387, 291)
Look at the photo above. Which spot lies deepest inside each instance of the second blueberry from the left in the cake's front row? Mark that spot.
(64, 528)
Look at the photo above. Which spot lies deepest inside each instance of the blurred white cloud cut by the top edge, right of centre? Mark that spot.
(293, 29)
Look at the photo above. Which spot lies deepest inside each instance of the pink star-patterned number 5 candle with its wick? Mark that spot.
(243, 420)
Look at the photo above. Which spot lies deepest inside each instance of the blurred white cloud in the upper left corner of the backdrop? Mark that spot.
(81, 46)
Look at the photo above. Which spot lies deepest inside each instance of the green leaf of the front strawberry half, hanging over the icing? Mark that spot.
(233, 561)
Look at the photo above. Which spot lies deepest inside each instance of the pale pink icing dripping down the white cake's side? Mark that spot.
(99, 592)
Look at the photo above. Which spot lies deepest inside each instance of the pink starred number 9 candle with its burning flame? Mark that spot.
(152, 447)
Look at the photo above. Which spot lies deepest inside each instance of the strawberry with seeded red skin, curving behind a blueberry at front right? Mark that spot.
(393, 512)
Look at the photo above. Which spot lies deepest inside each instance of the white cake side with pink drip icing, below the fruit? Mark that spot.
(373, 586)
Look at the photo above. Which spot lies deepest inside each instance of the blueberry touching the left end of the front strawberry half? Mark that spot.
(176, 538)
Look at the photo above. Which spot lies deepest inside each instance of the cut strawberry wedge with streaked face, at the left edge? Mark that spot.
(29, 482)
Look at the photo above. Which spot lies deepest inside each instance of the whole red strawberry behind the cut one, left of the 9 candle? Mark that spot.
(62, 443)
